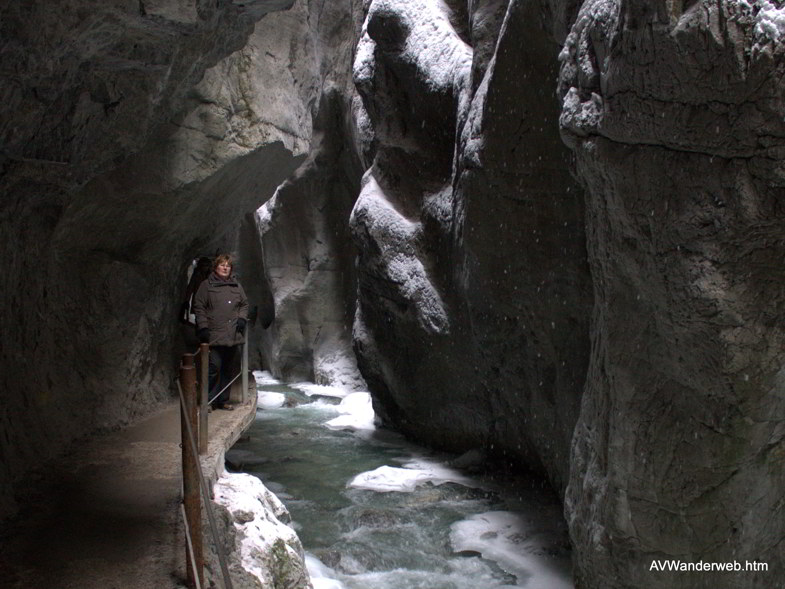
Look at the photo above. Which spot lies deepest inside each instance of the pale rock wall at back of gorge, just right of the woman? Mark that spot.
(307, 259)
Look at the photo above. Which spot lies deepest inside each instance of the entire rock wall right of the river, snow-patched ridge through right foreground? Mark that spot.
(501, 302)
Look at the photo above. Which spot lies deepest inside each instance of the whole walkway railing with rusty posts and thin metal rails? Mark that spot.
(194, 408)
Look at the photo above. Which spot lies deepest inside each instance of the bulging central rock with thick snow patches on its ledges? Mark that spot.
(410, 68)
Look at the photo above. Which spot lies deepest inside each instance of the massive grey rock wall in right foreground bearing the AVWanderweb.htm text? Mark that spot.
(675, 113)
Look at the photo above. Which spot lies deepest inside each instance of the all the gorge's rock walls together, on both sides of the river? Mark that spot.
(549, 229)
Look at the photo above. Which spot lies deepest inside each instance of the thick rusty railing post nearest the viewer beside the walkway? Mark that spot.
(191, 499)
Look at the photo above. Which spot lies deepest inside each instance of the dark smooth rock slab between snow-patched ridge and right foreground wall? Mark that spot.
(521, 242)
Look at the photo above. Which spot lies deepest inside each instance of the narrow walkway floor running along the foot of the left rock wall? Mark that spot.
(108, 515)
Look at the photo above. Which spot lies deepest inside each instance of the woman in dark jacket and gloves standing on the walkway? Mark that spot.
(221, 310)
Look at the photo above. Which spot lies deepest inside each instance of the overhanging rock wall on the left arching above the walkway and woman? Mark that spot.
(134, 137)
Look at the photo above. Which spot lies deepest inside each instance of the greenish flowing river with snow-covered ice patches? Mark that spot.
(376, 512)
